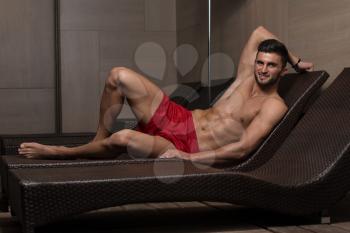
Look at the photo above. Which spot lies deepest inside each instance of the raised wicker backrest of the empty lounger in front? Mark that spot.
(318, 146)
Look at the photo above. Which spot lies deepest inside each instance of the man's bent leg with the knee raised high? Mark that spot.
(142, 95)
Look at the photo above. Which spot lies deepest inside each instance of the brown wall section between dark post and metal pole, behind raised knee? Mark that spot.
(164, 40)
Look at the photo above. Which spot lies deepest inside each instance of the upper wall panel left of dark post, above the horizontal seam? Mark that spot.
(27, 40)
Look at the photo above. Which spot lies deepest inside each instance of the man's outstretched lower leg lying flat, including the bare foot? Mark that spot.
(135, 143)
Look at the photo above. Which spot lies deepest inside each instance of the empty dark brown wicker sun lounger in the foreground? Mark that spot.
(307, 174)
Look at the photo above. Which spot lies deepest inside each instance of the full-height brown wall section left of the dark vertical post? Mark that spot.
(27, 69)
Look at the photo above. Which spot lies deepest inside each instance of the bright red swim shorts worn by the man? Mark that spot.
(174, 123)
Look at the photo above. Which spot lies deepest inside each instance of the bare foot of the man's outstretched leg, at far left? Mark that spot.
(34, 150)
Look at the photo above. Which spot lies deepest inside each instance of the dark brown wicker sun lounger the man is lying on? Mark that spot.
(296, 89)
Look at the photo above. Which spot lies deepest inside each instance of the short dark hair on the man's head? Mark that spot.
(274, 46)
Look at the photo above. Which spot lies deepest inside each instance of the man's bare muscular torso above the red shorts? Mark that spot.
(228, 119)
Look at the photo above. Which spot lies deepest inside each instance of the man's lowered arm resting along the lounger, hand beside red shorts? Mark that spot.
(270, 114)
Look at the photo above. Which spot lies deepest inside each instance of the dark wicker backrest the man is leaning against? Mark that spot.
(297, 90)
